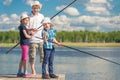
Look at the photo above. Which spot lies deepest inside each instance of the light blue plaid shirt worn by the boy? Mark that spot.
(50, 35)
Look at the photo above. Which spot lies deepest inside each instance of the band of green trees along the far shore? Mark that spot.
(68, 36)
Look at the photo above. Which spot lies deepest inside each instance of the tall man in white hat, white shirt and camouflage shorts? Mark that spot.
(35, 43)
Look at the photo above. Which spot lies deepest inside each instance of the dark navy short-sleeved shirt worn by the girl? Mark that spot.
(23, 39)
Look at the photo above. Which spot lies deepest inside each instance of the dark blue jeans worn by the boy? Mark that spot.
(48, 59)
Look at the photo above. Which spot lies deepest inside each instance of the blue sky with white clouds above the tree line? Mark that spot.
(92, 15)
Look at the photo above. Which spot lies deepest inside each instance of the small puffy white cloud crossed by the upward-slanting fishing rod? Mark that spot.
(70, 10)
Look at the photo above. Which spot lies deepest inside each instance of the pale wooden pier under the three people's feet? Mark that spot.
(37, 77)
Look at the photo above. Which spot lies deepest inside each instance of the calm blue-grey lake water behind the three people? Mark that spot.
(75, 65)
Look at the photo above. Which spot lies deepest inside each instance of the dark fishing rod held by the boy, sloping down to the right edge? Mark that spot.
(85, 52)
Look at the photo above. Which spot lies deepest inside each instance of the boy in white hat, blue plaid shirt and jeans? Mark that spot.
(49, 50)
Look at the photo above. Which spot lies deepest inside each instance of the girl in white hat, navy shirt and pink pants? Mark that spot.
(24, 41)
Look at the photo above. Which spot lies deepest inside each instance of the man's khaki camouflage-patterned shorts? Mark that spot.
(32, 51)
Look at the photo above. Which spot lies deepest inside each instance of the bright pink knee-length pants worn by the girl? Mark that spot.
(24, 56)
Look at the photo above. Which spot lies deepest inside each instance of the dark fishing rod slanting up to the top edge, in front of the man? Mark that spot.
(41, 25)
